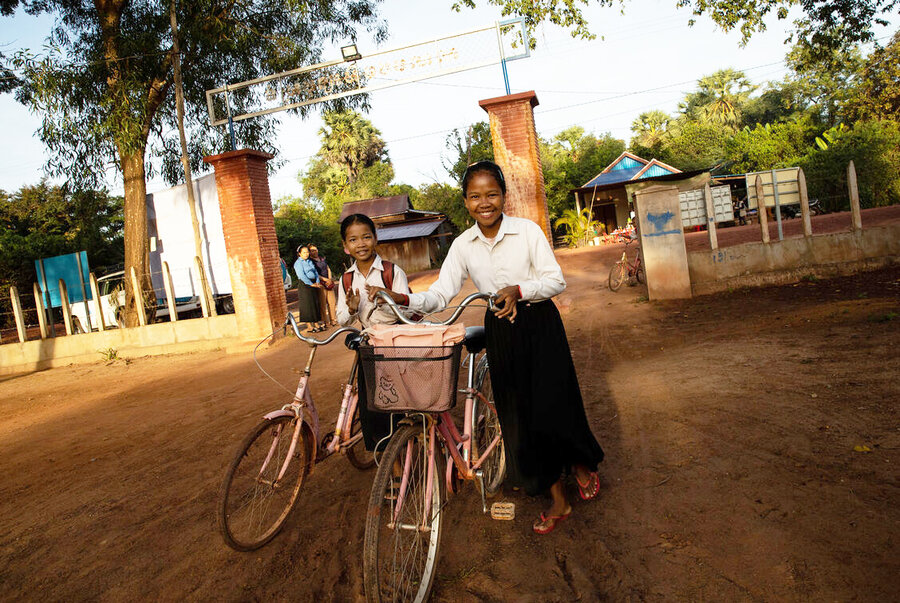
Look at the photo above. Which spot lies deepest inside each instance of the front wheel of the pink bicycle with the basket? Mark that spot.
(401, 542)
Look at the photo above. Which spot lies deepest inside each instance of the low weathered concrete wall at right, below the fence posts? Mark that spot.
(829, 254)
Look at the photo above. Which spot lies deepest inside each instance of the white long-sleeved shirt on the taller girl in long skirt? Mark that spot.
(518, 255)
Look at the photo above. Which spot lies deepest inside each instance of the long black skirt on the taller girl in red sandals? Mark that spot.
(538, 400)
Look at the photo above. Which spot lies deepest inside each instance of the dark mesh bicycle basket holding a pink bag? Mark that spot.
(414, 379)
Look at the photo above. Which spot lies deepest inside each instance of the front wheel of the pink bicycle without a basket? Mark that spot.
(253, 501)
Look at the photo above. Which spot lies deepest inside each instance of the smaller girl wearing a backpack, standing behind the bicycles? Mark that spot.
(368, 271)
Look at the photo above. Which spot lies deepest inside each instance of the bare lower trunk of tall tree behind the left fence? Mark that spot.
(137, 250)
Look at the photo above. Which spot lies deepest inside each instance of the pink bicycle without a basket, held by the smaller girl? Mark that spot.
(263, 481)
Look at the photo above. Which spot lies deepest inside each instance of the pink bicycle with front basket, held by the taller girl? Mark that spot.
(403, 522)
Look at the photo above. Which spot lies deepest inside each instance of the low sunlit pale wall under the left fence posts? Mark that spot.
(161, 338)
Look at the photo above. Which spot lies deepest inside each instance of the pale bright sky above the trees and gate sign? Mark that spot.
(644, 58)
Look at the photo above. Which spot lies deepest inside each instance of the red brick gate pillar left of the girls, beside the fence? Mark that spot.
(248, 223)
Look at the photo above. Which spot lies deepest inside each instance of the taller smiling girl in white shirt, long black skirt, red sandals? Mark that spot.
(535, 386)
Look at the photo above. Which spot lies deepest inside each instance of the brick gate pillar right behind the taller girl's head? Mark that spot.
(516, 151)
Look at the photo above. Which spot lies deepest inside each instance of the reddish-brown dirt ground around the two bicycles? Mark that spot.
(752, 446)
